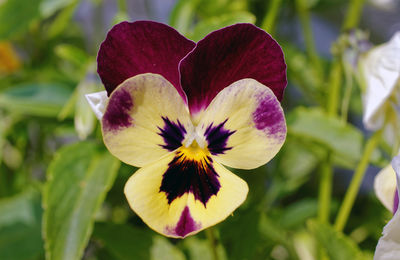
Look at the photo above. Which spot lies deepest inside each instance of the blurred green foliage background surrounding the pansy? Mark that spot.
(61, 192)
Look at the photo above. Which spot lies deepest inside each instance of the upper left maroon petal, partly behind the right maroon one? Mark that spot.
(141, 47)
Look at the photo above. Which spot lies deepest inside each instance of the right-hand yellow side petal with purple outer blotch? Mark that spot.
(244, 126)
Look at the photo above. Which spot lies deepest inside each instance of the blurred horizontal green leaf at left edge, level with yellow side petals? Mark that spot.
(35, 99)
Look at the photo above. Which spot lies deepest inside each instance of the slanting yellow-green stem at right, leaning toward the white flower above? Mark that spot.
(354, 187)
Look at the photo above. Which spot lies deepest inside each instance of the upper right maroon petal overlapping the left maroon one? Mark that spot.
(228, 55)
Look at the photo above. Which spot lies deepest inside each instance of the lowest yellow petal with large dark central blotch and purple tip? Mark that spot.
(176, 206)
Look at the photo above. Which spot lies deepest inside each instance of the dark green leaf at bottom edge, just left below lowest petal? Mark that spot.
(123, 241)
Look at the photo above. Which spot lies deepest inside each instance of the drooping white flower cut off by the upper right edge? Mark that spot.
(381, 73)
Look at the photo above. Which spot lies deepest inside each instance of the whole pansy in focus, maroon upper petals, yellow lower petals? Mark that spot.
(181, 110)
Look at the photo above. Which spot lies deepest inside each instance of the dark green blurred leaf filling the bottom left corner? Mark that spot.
(20, 226)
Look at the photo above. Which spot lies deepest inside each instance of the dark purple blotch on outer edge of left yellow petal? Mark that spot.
(117, 115)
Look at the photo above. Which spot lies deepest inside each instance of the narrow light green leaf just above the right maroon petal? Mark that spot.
(204, 27)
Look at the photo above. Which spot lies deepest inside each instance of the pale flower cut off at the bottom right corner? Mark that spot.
(388, 247)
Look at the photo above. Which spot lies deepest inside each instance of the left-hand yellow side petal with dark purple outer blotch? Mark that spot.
(145, 118)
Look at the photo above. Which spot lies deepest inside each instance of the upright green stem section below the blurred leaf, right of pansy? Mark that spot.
(325, 190)
